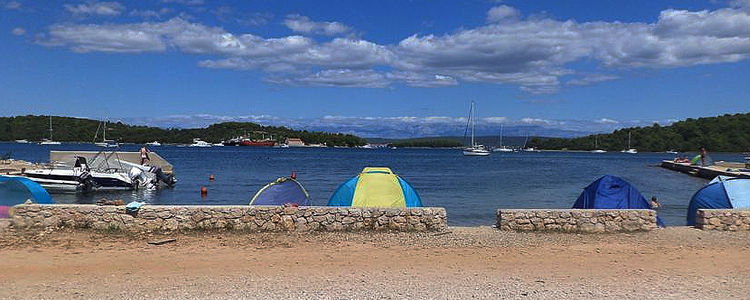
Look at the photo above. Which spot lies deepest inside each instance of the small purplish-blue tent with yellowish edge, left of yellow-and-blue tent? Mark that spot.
(282, 191)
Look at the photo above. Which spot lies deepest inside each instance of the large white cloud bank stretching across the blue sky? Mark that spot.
(535, 54)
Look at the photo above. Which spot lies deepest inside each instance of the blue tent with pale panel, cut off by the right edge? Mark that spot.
(722, 192)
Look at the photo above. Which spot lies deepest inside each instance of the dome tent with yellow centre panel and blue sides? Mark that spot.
(375, 187)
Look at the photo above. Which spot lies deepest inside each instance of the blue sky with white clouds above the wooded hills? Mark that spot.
(379, 68)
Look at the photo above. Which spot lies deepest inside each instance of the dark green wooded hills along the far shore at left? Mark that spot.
(68, 129)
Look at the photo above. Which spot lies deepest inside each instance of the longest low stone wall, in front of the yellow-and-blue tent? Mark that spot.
(155, 218)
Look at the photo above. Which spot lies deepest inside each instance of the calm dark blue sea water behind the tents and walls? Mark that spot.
(470, 188)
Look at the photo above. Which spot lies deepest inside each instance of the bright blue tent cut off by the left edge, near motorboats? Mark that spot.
(16, 190)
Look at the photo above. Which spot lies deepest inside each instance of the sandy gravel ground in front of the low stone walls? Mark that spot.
(476, 262)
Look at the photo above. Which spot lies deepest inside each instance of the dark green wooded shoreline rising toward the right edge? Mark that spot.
(726, 133)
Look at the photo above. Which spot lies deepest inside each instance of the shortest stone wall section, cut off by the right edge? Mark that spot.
(723, 219)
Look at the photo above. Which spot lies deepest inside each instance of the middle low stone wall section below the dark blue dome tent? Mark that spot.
(577, 220)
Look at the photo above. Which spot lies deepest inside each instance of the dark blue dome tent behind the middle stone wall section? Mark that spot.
(612, 192)
